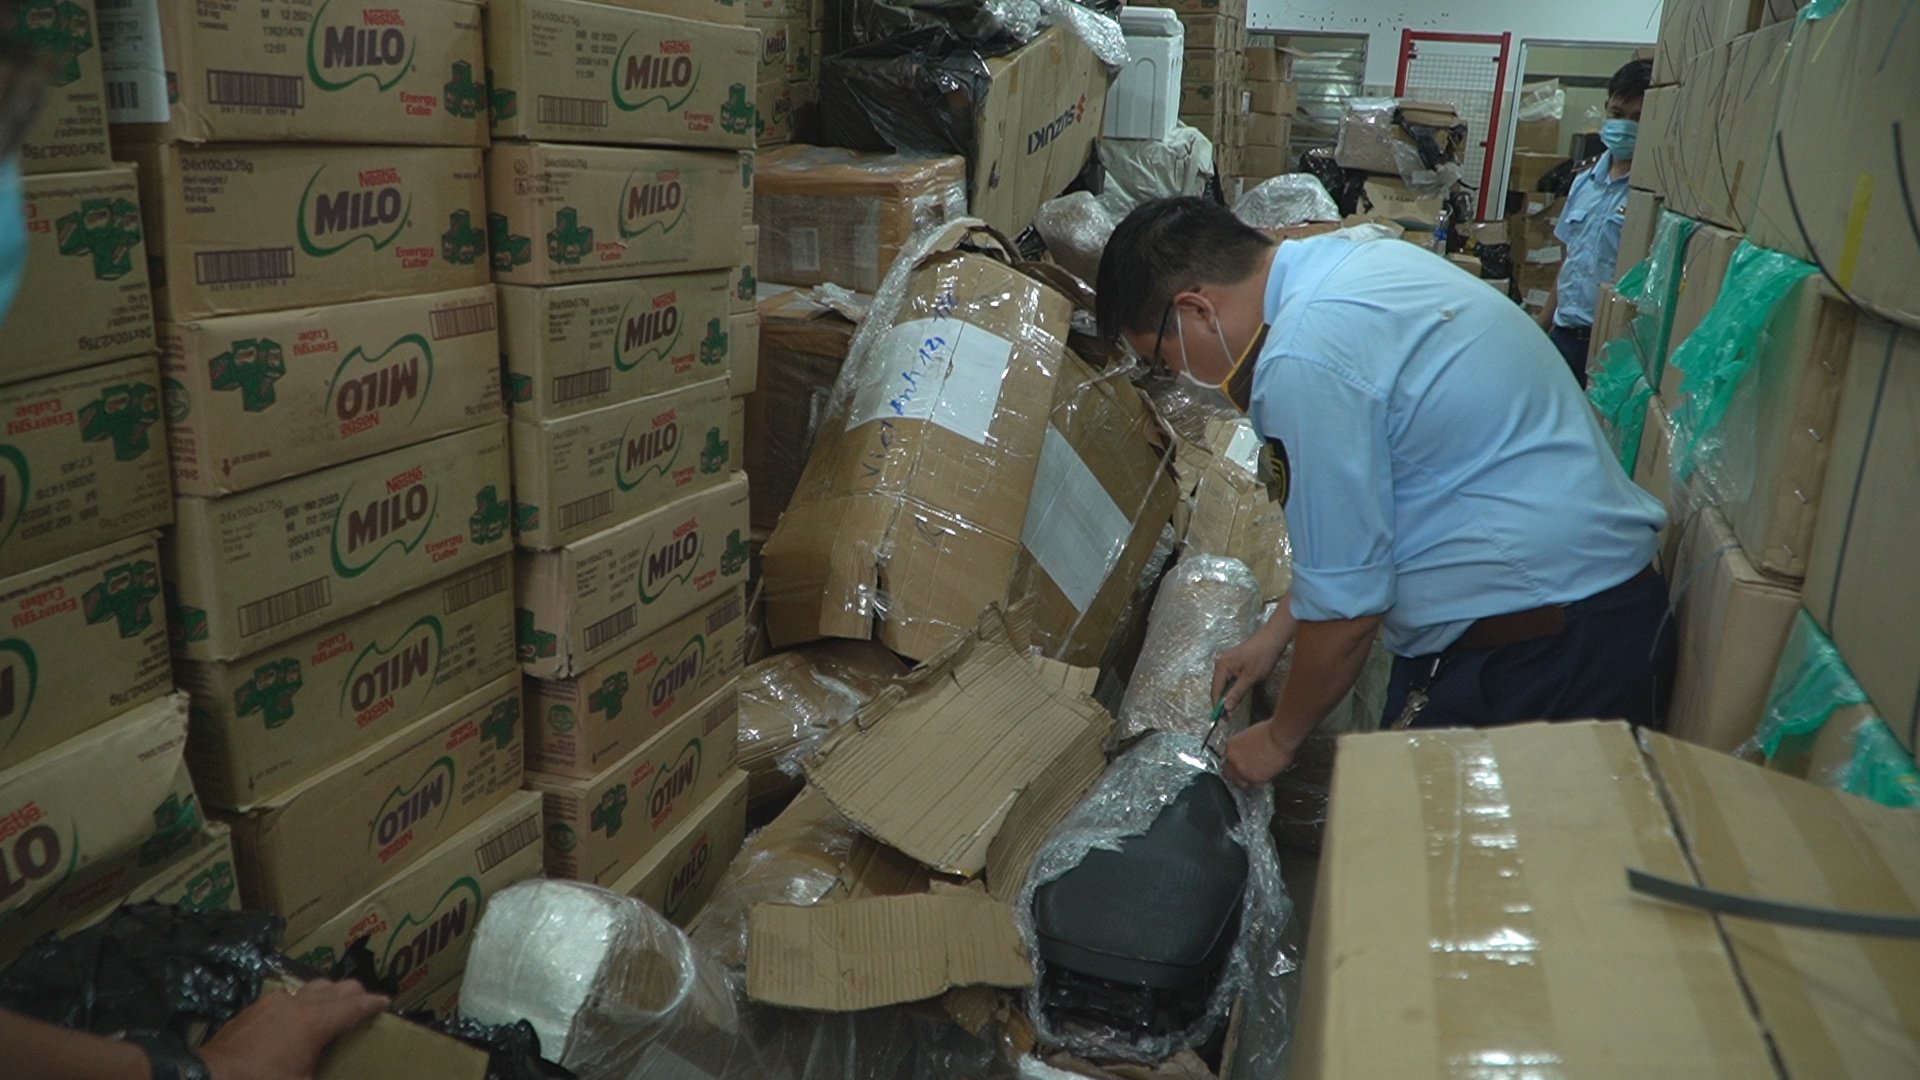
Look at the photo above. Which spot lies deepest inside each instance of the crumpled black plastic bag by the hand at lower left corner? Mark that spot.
(151, 970)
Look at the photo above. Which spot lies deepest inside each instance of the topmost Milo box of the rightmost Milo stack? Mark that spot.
(571, 72)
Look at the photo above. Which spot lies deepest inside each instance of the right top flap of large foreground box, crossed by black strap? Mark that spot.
(1835, 1004)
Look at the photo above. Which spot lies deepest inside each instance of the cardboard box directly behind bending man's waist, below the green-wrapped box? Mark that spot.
(1733, 626)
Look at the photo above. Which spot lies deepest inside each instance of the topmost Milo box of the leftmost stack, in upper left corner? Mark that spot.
(72, 130)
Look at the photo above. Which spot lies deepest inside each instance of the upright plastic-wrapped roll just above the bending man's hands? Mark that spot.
(1205, 608)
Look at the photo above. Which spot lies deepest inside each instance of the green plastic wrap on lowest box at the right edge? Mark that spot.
(1821, 725)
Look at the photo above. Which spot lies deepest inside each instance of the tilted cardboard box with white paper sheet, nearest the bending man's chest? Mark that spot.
(1101, 497)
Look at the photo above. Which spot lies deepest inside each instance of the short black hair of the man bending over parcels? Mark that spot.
(1168, 247)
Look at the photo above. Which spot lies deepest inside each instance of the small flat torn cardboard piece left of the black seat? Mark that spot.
(863, 954)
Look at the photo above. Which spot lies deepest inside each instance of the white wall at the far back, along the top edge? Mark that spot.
(1623, 22)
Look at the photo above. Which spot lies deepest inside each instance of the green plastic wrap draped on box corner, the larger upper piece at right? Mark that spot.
(1716, 424)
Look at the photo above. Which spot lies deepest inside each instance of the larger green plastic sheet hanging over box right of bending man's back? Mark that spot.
(1717, 358)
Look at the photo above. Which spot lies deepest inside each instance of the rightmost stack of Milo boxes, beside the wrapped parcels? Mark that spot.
(617, 210)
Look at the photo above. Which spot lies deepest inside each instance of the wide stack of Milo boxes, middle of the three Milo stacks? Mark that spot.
(339, 572)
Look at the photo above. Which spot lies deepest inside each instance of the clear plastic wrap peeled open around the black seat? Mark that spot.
(1130, 797)
